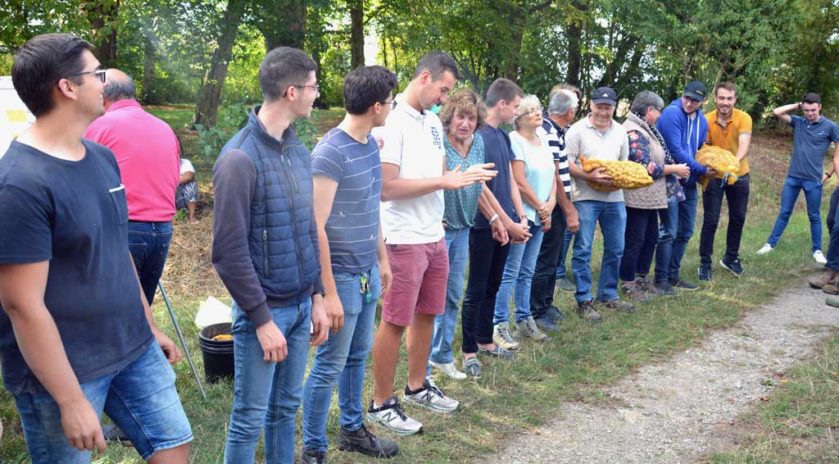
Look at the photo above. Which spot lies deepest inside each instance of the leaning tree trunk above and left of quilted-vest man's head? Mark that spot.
(207, 109)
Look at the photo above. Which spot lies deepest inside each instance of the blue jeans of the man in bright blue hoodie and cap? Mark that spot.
(674, 233)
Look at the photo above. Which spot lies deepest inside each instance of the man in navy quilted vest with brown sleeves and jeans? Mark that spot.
(265, 249)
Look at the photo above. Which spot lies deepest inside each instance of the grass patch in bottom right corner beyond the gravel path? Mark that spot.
(799, 421)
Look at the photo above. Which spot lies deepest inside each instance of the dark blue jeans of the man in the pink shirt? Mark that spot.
(149, 245)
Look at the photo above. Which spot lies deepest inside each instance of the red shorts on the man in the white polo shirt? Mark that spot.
(420, 275)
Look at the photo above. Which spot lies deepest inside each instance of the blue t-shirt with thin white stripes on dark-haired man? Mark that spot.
(353, 224)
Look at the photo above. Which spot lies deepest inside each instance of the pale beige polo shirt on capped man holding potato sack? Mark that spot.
(584, 139)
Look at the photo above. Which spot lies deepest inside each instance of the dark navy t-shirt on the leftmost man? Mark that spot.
(73, 214)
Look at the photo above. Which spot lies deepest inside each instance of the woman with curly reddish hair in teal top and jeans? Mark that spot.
(463, 113)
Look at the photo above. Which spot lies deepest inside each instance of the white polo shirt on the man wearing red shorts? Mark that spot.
(413, 141)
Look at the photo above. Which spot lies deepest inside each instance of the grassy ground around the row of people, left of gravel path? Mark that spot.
(576, 365)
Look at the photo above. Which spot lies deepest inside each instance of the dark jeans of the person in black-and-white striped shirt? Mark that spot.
(545, 274)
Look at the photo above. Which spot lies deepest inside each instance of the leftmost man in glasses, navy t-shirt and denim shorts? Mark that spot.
(77, 336)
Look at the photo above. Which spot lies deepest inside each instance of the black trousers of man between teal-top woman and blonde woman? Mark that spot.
(486, 266)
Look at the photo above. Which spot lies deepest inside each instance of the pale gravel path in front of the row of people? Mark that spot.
(677, 411)
